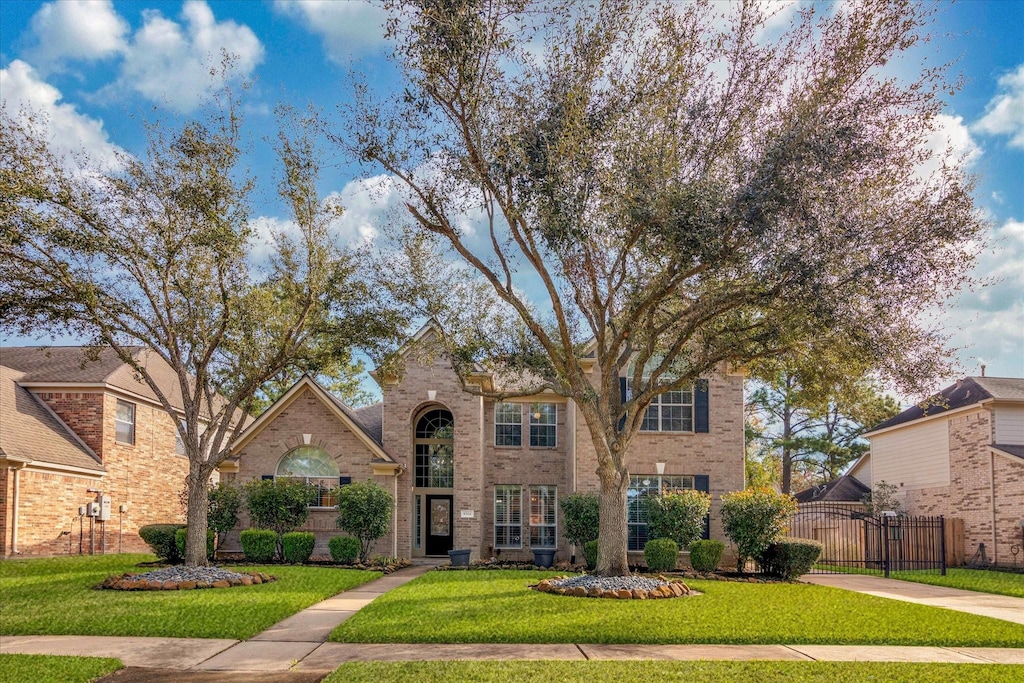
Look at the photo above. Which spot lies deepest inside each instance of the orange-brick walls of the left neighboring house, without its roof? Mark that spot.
(147, 478)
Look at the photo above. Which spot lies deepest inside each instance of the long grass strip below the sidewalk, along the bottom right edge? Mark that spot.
(706, 672)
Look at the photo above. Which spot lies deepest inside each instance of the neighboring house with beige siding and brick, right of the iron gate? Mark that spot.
(961, 455)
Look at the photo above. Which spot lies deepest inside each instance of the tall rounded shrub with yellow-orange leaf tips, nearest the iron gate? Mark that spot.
(756, 519)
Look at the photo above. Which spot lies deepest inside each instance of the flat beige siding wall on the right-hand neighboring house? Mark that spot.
(913, 458)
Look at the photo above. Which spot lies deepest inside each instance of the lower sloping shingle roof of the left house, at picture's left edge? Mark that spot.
(31, 433)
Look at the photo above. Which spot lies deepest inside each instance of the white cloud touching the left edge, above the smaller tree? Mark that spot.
(68, 131)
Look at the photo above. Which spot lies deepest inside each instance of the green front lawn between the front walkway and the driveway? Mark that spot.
(497, 607)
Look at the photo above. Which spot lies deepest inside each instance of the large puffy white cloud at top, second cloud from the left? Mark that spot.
(170, 63)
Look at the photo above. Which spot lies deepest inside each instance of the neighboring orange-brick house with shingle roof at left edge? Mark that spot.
(68, 426)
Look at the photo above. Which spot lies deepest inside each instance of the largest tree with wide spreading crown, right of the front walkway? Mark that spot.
(680, 190)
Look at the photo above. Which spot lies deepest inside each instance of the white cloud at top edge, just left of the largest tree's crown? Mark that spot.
(345, 28)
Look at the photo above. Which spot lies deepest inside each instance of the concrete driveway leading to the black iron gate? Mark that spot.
(985, 605)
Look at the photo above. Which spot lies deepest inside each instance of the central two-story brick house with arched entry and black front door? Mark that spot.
(475, 474)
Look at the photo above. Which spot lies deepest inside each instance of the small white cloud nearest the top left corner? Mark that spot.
(86, 30)
